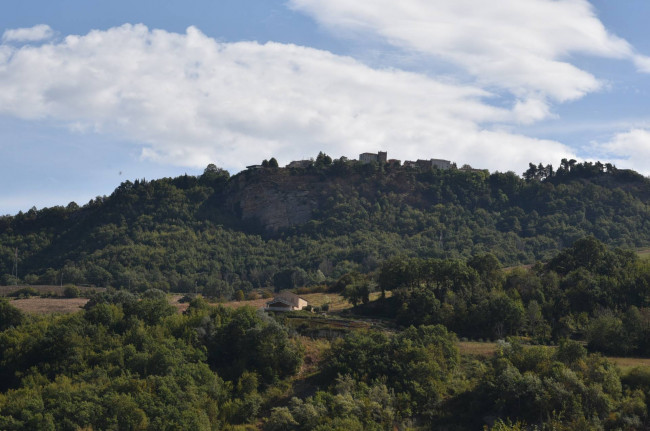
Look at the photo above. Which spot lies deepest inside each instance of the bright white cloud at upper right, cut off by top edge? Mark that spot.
(523, 46)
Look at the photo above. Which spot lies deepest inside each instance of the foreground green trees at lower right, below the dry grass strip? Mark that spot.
(416, 380)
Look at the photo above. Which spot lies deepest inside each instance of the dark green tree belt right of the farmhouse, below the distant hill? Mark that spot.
(587, 292)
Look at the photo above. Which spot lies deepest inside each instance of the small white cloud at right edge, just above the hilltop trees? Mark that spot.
(630, 150)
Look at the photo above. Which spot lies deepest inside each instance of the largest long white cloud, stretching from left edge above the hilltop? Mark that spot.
(190, 100)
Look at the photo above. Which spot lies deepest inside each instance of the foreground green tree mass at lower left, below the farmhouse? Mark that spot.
(133, 363)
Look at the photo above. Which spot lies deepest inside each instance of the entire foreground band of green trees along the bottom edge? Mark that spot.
(137, 365)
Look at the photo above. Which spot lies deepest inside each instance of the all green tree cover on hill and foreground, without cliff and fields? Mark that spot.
(437, 241)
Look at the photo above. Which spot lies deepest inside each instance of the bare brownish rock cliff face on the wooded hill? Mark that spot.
(276, 201)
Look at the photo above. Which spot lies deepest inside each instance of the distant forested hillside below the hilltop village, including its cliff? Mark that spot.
(285, 227)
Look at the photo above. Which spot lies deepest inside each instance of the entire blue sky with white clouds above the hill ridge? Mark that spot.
(96, 93)
